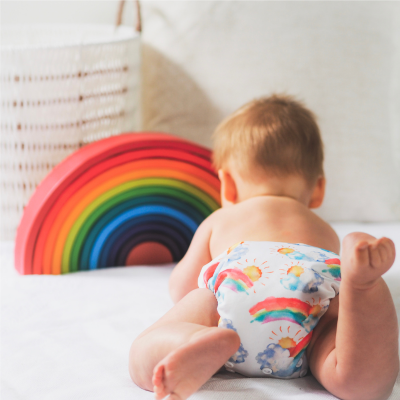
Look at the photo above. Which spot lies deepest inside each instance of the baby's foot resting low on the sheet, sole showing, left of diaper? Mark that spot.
(187, 368)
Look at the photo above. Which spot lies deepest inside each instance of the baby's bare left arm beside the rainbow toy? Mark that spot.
(184, 276)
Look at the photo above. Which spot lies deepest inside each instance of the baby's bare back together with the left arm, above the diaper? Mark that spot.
(262, 218)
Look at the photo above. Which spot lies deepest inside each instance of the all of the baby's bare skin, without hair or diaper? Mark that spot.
(181, 351)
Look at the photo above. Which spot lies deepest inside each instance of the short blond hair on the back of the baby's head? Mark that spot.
(277, 133)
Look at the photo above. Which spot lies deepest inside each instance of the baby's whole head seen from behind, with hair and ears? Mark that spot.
(270, 146)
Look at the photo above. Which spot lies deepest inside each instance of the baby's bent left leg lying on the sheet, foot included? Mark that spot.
(183, 349)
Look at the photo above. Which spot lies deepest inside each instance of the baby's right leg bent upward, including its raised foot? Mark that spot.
(354, 350)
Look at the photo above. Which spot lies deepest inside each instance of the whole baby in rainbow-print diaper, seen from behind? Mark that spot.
(257, 291)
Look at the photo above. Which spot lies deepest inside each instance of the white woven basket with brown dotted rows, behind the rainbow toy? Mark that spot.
(61, 87)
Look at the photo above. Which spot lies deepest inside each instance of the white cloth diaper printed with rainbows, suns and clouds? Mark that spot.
(273, 295)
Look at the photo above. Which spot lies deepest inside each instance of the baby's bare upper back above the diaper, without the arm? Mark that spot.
(273, 219)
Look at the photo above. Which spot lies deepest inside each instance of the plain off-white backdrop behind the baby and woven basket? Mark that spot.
(202, 59)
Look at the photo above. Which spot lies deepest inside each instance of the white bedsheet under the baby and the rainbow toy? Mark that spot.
(68, 337)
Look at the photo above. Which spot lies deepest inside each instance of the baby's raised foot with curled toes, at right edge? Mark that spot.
(366, 259)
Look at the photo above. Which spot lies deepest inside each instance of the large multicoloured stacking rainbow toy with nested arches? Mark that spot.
(115, 202)
